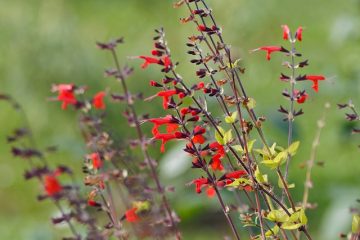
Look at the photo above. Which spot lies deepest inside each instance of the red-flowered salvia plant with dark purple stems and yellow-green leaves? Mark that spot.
(122, 196)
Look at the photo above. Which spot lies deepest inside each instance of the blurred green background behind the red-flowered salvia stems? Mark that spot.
(53, 41)
